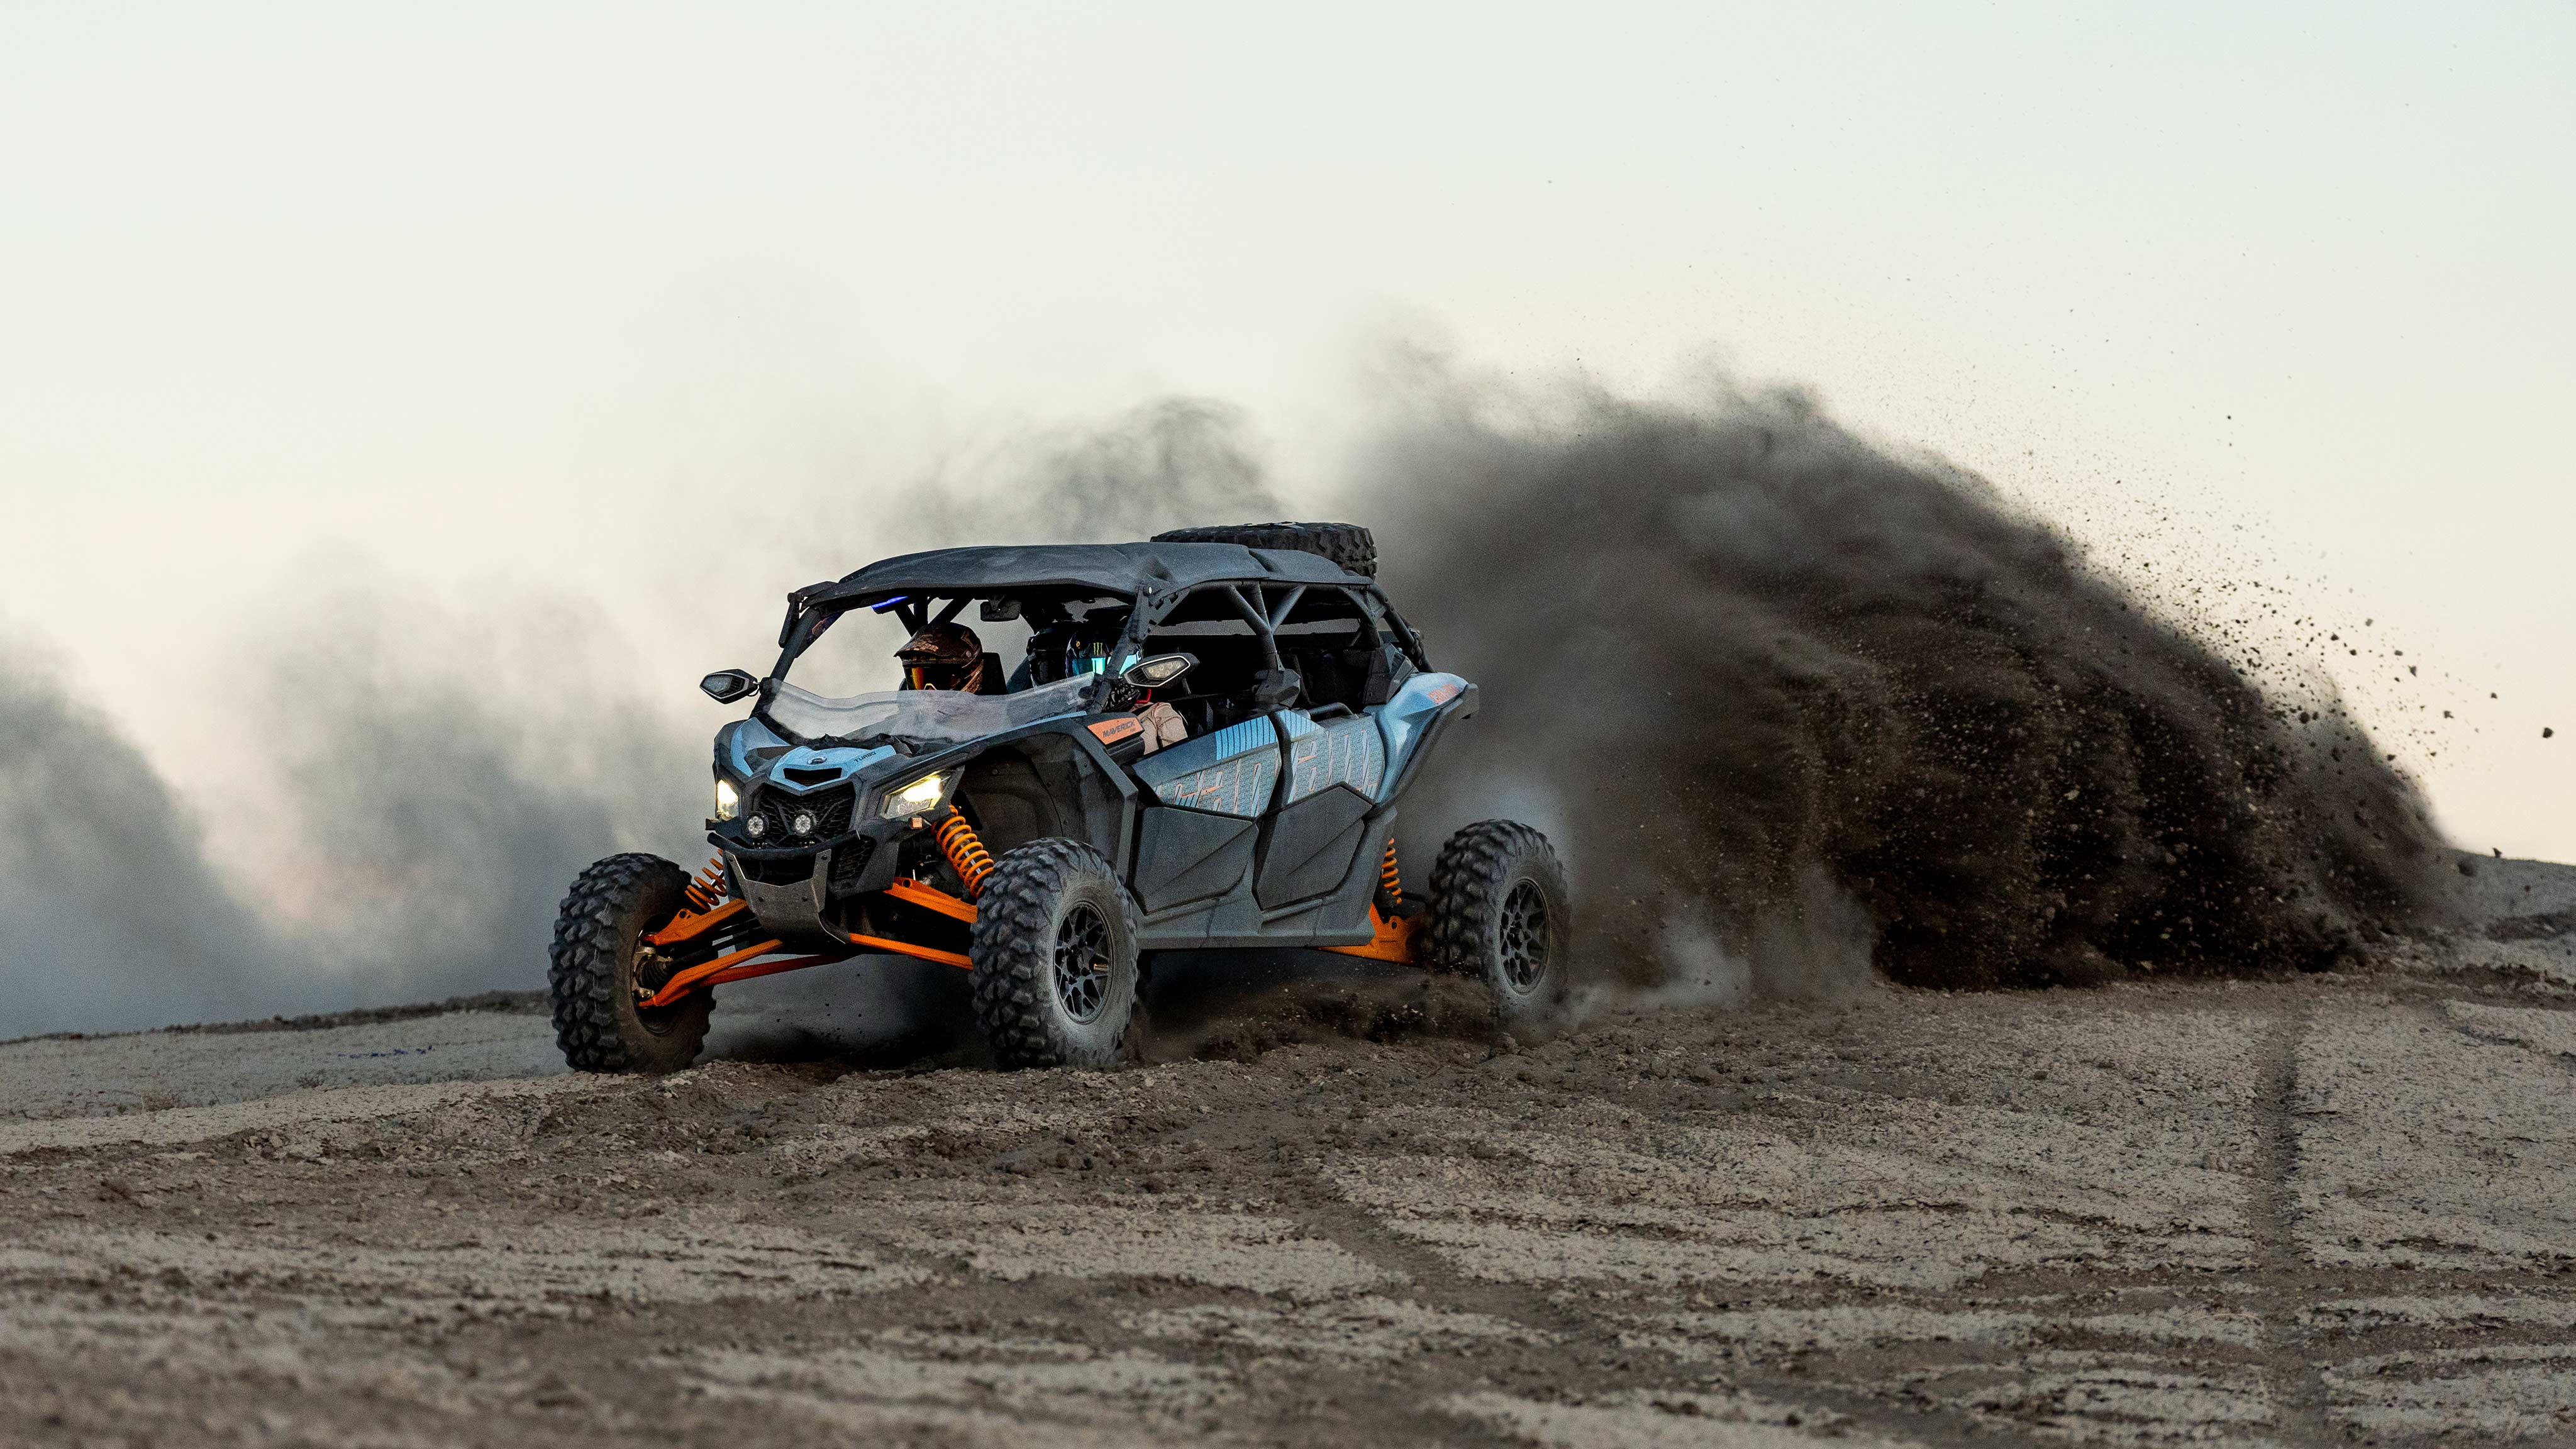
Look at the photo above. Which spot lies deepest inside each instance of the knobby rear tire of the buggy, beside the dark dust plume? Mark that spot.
(1503, 914)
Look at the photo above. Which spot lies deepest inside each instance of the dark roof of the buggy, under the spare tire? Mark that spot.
(1104, 569)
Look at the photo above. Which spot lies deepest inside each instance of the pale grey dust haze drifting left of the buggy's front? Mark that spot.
(424, 790)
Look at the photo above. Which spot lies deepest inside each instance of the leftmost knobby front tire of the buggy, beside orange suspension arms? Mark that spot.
(591, 976)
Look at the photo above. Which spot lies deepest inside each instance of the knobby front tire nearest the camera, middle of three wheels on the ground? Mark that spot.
(1055, 958)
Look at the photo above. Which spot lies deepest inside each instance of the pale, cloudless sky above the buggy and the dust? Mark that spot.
(571, 298)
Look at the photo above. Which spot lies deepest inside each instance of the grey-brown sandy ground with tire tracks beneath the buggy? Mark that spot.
(2204, 1213)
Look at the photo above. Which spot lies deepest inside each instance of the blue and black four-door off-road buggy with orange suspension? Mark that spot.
(1047, 839)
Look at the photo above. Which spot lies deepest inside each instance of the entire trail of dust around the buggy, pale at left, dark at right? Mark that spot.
(1792, 708)
